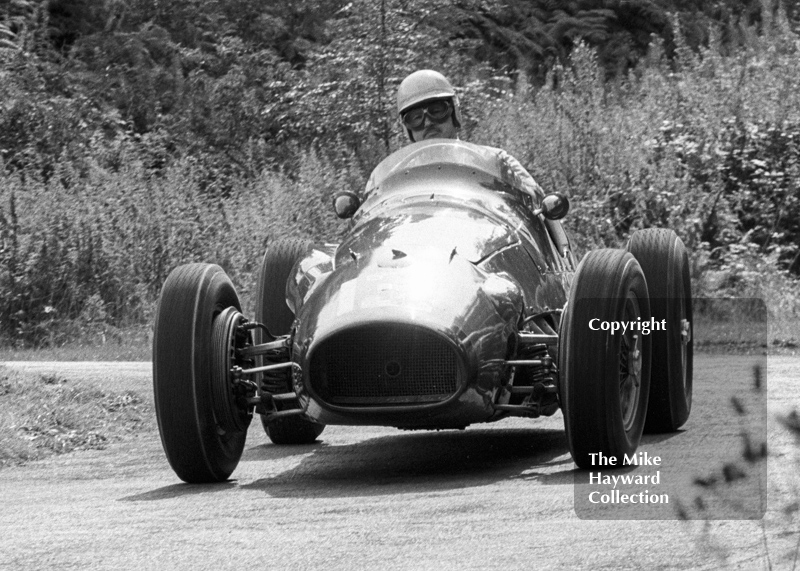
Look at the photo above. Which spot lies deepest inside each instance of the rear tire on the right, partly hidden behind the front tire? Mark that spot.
(665, 264)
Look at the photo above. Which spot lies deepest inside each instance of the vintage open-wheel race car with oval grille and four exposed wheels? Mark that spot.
(454, 299)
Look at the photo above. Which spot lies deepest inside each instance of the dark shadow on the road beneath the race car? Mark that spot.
(420, 462)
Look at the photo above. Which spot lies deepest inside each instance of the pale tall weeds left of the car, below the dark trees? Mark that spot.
(95, 249)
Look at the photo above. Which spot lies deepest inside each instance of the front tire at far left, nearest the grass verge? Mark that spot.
(185, 371)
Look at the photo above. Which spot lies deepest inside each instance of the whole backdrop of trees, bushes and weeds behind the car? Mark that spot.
(136, 136)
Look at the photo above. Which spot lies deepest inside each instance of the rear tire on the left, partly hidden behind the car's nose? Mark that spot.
(272, 311)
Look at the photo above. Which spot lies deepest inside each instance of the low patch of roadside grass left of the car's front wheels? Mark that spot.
(43, 415)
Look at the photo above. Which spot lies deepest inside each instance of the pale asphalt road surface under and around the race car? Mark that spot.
(499, 496)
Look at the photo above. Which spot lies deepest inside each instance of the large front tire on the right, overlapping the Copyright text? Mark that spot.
(604, 408)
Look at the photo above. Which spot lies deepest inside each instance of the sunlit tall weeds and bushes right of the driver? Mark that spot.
(707, 147)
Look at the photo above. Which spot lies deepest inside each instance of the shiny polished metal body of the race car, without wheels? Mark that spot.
(417, 319)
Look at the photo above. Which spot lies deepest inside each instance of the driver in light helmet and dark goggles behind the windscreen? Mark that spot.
(428, 107)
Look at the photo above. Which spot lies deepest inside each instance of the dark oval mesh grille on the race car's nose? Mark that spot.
(385, 365)
